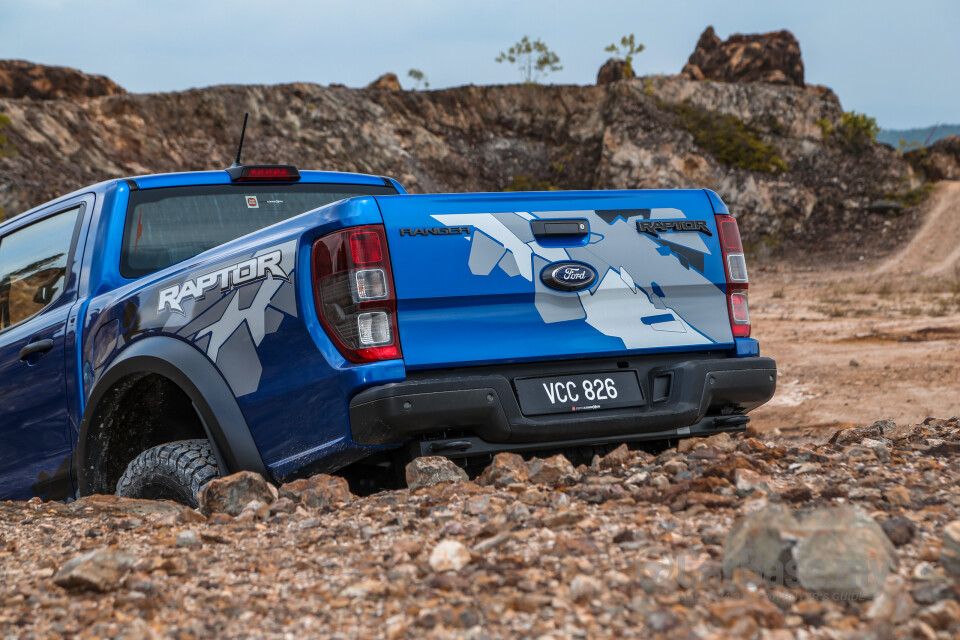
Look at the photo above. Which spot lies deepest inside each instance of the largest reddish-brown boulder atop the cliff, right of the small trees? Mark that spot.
(769, 57)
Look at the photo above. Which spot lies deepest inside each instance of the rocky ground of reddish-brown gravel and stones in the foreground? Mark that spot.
(725, 537)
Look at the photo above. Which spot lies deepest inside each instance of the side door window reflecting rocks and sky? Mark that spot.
(33, 266)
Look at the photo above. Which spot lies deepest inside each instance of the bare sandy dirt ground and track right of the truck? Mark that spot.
(878, 341)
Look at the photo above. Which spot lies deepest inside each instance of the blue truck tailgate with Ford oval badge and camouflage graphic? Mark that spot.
(486, 278)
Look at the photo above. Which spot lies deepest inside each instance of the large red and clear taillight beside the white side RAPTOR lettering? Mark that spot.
(354, 293)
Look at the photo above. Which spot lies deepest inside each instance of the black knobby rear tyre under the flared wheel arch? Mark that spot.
(173, 471)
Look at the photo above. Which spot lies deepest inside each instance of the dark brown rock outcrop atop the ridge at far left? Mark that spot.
(22, 79)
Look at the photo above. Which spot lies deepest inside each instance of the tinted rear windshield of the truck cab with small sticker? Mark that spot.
(167, 226)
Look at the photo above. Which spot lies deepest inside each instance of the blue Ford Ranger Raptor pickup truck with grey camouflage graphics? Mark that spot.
(159, 331)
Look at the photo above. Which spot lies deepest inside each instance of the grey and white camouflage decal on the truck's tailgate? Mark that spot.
(624, 287)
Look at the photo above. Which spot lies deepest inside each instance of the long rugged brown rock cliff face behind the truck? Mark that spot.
(655, 132)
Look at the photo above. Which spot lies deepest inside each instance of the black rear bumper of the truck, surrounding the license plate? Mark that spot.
(680, 391)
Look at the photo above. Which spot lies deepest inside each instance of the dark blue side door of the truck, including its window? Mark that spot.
(36, 295)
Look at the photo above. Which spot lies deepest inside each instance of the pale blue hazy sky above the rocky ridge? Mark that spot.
(896, 61)
